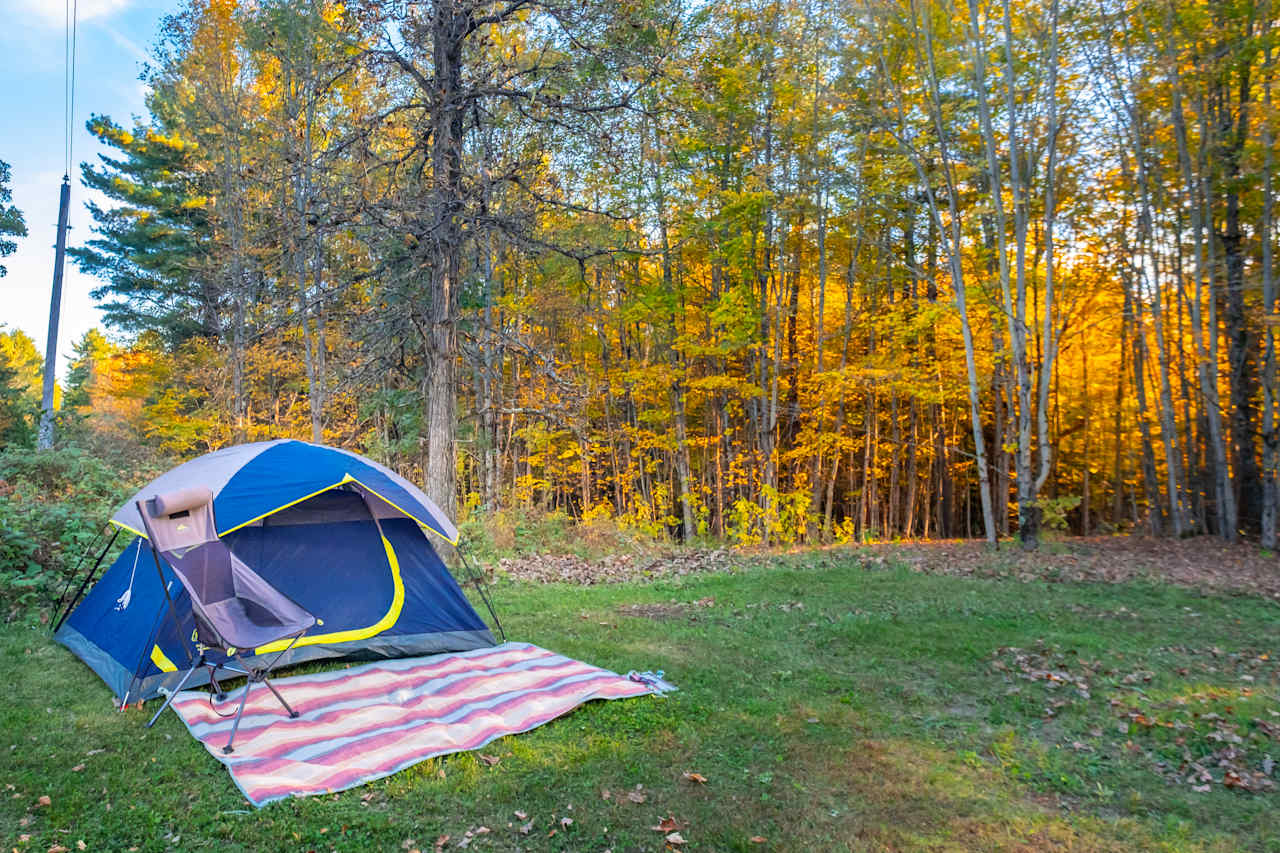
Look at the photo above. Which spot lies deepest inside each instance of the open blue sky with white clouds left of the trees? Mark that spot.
(113, 39)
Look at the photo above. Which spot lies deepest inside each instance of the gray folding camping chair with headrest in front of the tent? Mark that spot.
(235, 608)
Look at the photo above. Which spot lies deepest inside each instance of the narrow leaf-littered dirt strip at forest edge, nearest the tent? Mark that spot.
(619, 568)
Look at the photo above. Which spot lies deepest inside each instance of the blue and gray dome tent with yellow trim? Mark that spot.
(344, 537)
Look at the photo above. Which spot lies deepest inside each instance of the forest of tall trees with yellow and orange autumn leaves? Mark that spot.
(760, 272)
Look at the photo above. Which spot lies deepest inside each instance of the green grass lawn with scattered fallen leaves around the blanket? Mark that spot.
(888, 713)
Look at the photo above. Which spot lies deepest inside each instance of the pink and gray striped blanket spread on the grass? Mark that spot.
(373, 720)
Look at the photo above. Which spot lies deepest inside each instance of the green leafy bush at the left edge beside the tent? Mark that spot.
(53, 507)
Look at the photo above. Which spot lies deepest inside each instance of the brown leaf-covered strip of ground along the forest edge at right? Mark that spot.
(1201, 563)
